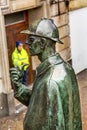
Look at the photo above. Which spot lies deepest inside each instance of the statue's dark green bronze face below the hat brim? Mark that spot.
(34, 44)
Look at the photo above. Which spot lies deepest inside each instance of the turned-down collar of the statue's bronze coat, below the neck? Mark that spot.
(50, 61)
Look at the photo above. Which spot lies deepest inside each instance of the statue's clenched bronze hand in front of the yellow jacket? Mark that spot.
(16, 74)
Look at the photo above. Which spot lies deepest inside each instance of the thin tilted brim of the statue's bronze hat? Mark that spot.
(33, 34)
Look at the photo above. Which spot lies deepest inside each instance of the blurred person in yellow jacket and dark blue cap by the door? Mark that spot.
(20, 59)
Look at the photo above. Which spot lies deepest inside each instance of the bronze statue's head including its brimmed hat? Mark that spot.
(39, 33)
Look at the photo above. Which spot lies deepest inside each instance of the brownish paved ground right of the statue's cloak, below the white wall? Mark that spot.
(82, 80)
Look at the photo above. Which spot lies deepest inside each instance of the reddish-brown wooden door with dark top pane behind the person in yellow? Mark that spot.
(14, 24)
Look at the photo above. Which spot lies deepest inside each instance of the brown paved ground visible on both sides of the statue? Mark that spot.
(16, 122)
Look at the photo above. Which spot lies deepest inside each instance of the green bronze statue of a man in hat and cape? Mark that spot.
(53, 103)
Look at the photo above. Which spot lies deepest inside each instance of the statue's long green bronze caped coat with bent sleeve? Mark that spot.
(54, 102)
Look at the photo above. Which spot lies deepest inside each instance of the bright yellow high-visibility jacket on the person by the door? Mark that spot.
(18, 58)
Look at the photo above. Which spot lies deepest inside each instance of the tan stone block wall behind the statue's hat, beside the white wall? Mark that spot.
(61, 19)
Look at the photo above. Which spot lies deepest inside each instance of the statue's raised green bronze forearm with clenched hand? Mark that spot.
(21, 92)
